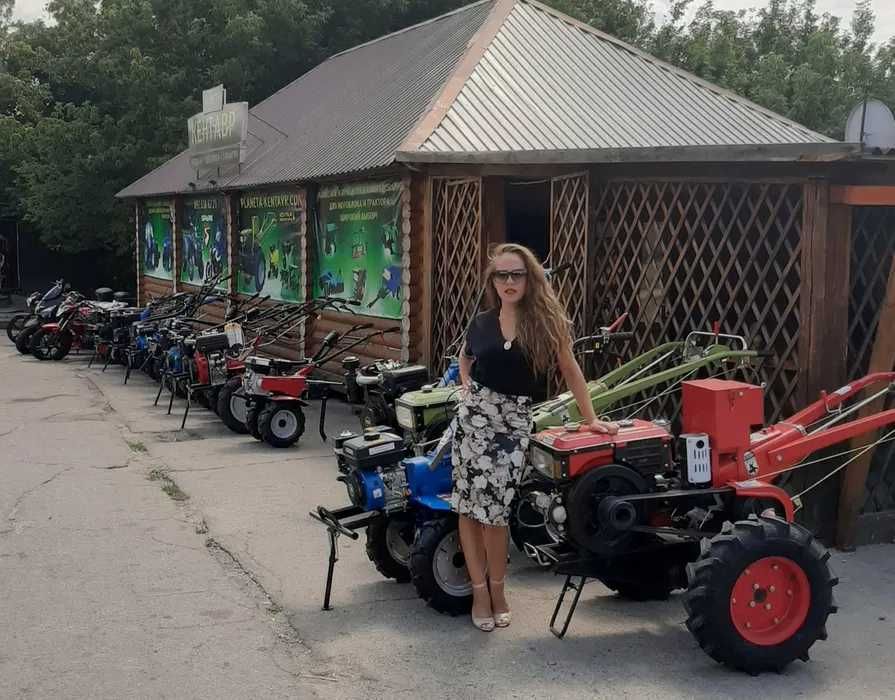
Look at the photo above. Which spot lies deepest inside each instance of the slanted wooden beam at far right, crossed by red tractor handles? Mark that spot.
(854, 482)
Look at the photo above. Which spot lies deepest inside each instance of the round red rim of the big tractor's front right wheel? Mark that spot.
(770, 601)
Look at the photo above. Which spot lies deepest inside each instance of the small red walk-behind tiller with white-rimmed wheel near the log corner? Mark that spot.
(276, 402)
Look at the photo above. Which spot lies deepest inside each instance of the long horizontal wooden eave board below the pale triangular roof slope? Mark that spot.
(795, 152)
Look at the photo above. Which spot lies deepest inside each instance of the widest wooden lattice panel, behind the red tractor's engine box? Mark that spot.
(679, 256)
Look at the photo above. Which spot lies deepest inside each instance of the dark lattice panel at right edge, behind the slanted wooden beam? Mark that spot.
(873, 244)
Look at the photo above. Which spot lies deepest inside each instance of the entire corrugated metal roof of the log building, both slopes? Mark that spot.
(545, 84)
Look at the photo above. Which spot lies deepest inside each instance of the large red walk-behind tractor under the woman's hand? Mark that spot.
(624, 511)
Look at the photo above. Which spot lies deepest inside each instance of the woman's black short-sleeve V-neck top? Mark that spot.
(507, 371)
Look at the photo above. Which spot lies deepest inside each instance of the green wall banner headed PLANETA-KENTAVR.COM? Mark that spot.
(269, 254)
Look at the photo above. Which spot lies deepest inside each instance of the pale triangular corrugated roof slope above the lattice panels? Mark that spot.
(548, 83)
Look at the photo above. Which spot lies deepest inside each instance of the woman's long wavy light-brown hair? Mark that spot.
(543, 328)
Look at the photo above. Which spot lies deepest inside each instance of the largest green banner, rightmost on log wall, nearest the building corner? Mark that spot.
(359, 246)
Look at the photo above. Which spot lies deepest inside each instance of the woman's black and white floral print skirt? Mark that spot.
(491, 436)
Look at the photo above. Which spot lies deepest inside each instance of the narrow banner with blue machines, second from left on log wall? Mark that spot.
(203, 240)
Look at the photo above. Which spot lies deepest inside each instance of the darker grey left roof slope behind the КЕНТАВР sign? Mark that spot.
(348, 114)
